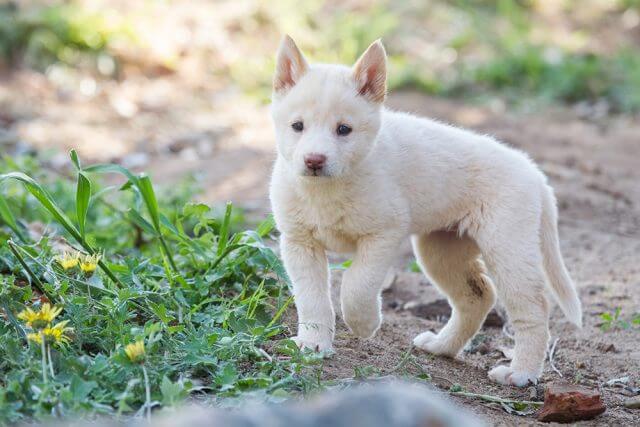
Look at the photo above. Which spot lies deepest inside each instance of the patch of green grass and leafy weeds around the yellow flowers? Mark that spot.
(205, 299)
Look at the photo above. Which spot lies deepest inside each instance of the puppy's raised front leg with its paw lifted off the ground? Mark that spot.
(362, 284)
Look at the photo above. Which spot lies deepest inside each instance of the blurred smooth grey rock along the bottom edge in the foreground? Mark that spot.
(379, 405)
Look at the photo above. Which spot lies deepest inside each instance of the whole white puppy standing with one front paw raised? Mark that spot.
(354, 177)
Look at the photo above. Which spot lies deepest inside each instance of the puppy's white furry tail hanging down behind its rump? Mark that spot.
(557, 274)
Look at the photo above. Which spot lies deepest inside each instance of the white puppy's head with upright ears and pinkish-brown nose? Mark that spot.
(327, 116)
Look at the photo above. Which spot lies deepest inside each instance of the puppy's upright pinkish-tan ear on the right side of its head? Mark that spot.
(370, 73)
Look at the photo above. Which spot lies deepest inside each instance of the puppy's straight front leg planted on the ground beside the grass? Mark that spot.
(308, 269)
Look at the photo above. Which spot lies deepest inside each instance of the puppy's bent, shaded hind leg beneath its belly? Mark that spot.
(453, 263)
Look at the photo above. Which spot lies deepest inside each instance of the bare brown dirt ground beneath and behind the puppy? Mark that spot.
(592, 162)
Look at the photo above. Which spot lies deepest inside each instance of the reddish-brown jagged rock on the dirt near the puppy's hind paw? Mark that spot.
(568, 403)
